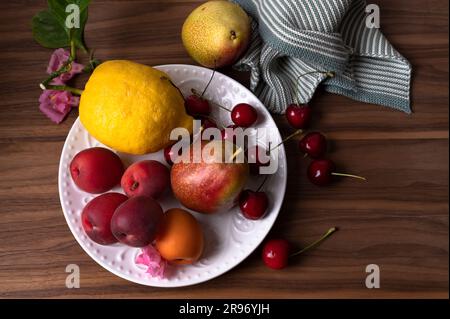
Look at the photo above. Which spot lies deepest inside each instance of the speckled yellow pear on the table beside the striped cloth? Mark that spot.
(216, 33)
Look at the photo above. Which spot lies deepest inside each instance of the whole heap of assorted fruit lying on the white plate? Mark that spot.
(115, 111)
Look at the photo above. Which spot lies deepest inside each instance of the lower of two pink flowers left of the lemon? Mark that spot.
(57, 104)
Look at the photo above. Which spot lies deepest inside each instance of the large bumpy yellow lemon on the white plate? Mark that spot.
(131, 107)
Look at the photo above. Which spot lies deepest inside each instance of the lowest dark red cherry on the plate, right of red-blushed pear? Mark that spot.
(253, 205)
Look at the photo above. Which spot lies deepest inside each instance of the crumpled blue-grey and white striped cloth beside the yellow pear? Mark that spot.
(293, 37)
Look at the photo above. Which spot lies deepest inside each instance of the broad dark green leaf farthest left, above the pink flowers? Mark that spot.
(48, 32)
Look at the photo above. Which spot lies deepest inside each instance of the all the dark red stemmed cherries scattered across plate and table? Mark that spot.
(254, 204)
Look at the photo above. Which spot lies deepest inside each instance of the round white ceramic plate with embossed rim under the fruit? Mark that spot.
(229, 237)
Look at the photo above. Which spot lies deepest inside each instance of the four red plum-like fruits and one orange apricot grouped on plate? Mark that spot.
(135, 219)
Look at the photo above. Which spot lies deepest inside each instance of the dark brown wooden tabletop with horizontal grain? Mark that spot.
(397, 220)
